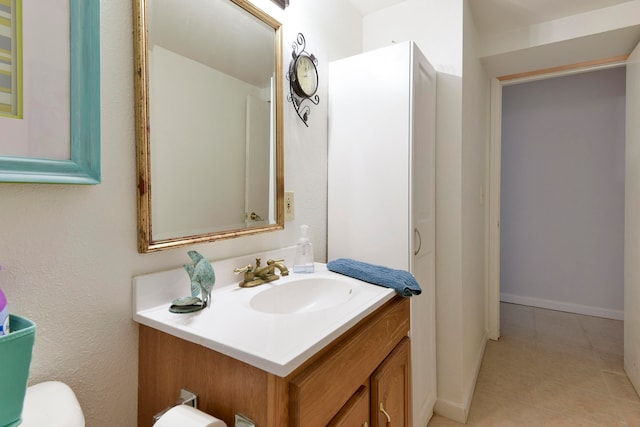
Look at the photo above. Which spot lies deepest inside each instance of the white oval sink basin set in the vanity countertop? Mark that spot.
(303, 295)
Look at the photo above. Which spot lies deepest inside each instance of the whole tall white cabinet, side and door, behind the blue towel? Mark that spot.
(381, 191)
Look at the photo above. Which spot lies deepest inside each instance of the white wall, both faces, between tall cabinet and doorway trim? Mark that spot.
(437, 28)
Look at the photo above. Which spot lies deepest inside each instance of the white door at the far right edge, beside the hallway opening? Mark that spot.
(632, 223)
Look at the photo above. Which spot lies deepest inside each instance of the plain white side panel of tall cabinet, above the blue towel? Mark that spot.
(367, 163)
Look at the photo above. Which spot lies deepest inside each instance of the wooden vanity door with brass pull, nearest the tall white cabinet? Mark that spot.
(390, 389)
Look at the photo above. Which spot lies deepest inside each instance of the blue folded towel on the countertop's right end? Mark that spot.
(401, 281)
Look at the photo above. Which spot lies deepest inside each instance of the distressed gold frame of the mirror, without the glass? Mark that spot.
(143, 139)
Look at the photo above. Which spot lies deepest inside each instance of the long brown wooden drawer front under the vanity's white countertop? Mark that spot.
(318, 393)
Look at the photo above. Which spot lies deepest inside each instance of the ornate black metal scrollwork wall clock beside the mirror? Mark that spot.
(303, 79)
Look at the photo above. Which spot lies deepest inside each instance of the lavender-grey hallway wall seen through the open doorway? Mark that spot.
(562, 215)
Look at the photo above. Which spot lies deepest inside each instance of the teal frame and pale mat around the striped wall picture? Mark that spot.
(73, 105)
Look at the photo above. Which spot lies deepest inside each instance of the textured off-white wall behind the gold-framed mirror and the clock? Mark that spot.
(69, 252)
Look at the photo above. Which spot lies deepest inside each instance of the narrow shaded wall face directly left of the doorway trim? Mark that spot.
(475, 120)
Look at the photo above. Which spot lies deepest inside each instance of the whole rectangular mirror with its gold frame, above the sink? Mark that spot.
(208, 121)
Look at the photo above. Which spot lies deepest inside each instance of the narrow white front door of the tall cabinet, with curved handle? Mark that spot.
(423, 310)
